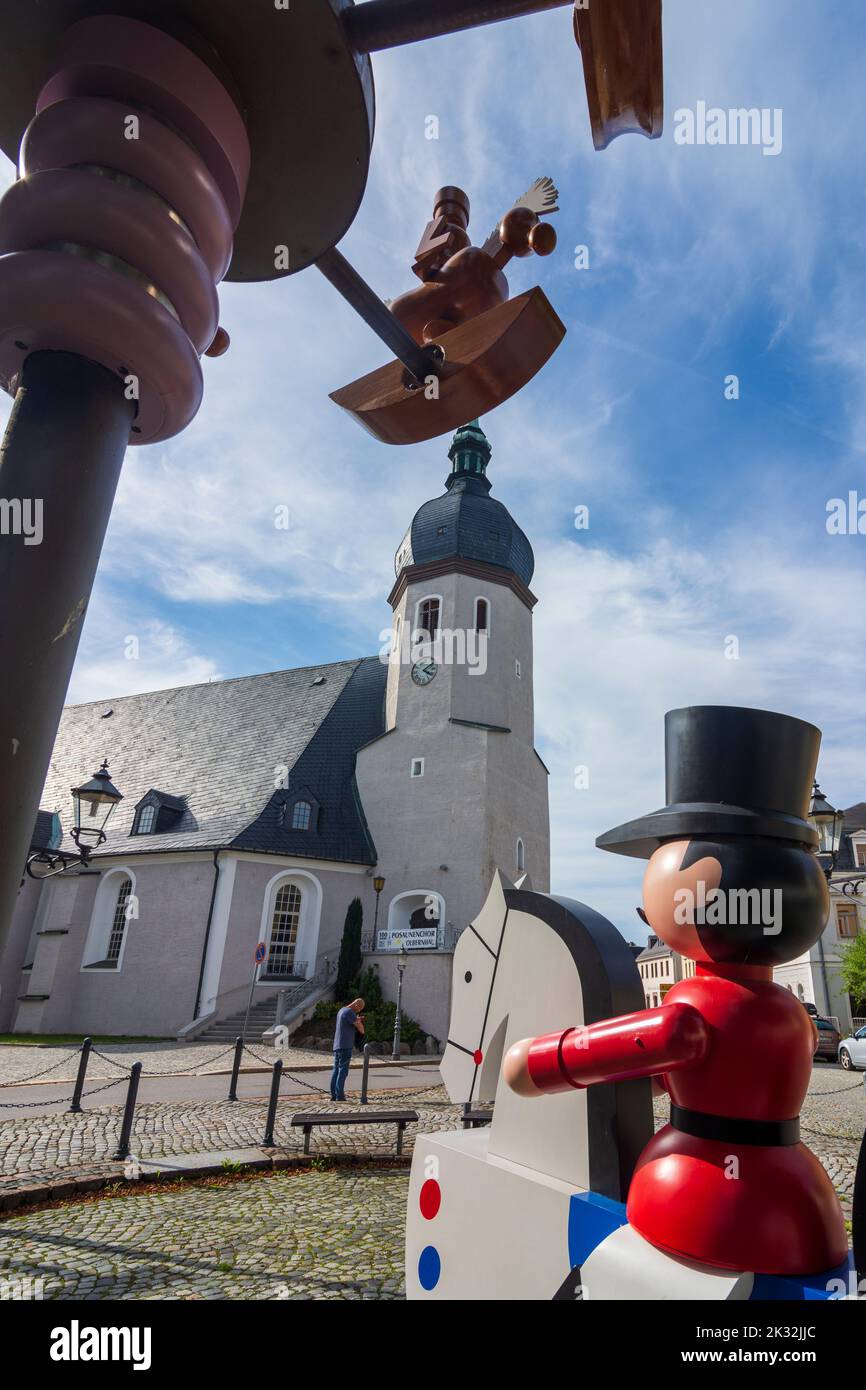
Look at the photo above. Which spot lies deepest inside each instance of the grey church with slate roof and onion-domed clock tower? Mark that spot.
(255, 810)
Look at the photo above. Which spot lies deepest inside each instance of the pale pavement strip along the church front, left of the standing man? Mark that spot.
(20, 1064)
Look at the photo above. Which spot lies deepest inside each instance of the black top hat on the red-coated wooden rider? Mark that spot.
(729, 772)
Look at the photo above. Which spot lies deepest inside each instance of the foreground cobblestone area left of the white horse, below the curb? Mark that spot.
(290, 1236)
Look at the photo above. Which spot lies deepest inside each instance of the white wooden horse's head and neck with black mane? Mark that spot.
(533, 957)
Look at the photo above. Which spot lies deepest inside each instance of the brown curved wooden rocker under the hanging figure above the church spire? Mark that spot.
(487, 361)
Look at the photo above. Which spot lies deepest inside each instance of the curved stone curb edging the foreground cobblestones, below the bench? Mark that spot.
(181, 1166)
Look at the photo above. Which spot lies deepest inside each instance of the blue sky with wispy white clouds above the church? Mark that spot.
(707, 516)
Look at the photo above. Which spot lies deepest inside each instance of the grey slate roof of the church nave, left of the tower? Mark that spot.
(220, 750)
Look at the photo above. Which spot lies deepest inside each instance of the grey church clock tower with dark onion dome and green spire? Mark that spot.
(455, 790)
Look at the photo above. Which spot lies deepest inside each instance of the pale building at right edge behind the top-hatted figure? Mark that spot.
(815, 978)
